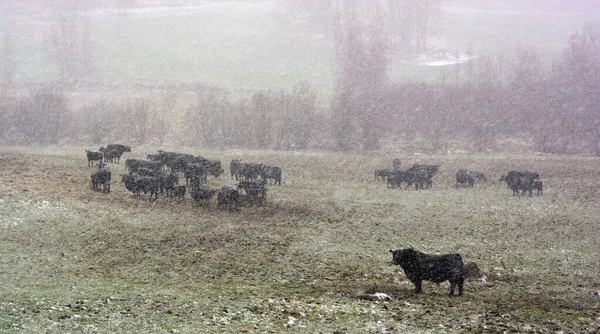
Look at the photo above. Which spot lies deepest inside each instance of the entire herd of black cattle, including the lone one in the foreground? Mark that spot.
(159, 175)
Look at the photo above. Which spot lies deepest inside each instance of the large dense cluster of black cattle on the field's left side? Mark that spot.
(159, 175)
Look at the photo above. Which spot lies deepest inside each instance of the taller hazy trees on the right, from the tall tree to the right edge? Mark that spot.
(481, 105)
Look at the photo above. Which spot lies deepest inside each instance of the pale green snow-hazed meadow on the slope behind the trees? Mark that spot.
(259, 45)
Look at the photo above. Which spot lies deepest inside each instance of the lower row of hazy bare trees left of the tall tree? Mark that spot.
(203, 116)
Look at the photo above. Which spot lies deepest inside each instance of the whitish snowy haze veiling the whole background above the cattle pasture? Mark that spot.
(404, 76)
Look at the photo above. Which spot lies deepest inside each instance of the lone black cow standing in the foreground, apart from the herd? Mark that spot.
(419, 266)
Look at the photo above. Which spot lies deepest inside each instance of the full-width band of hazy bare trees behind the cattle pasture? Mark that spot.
(489, 105)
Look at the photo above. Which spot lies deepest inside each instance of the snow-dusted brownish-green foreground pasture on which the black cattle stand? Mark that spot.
(74, 260)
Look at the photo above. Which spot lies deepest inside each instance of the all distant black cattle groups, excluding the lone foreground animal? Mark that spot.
(159, 174)
